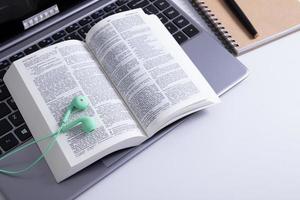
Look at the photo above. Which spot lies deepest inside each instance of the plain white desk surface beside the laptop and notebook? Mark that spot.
(247, 147)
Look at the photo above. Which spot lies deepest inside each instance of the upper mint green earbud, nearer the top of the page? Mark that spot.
(78, 103)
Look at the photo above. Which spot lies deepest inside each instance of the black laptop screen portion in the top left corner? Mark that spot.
(17, 16)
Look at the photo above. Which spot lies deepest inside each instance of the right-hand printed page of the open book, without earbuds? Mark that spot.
(148, 68)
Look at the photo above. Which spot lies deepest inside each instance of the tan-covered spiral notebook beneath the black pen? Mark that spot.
(271, 18)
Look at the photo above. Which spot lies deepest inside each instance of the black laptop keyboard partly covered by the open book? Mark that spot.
(13, 130)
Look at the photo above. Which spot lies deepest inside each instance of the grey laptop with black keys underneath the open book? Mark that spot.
(27, 26)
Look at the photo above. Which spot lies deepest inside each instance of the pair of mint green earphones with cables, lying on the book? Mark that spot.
(87, 124)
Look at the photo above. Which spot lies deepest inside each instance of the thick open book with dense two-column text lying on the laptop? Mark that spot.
(137, 78)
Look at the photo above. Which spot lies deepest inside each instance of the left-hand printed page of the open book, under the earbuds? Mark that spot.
(63, 71)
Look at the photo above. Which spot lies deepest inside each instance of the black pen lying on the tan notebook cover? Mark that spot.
(237, 11)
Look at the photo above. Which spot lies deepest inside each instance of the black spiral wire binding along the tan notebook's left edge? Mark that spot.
(215, 25)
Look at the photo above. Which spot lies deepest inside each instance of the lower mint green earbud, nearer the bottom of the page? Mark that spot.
(88, 124)
